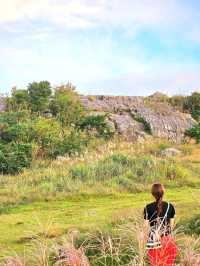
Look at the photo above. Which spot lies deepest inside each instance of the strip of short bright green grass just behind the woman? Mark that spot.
(24, 222)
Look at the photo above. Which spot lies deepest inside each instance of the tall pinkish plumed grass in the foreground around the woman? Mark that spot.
(123, 245)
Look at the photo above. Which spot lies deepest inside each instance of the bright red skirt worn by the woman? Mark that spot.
(164, 256)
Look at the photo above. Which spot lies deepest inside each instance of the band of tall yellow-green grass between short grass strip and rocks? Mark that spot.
(112, 168)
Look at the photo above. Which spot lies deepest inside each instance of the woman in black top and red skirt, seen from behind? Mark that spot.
(159, 217)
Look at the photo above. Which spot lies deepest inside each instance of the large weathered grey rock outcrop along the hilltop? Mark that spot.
(132, 115)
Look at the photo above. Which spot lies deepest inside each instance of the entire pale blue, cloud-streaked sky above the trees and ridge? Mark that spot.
(129, 47)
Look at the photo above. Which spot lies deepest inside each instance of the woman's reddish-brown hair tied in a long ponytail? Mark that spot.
(157, 191)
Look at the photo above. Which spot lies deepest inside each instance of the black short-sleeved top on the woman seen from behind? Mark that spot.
(151, 215)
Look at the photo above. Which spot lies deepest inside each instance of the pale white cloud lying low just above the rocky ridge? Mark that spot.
(169, 79)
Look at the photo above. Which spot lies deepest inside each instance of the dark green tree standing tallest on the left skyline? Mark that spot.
(39, 94)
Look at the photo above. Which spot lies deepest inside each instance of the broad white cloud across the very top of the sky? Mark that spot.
(129, 14)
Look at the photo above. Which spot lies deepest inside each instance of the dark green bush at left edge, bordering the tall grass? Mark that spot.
(14, 157)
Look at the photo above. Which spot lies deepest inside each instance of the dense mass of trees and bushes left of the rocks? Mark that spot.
(44, 122)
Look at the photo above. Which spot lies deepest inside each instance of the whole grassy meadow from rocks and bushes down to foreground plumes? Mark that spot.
(97, 191)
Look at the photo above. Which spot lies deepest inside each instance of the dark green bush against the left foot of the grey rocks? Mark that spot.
(98, 123)
